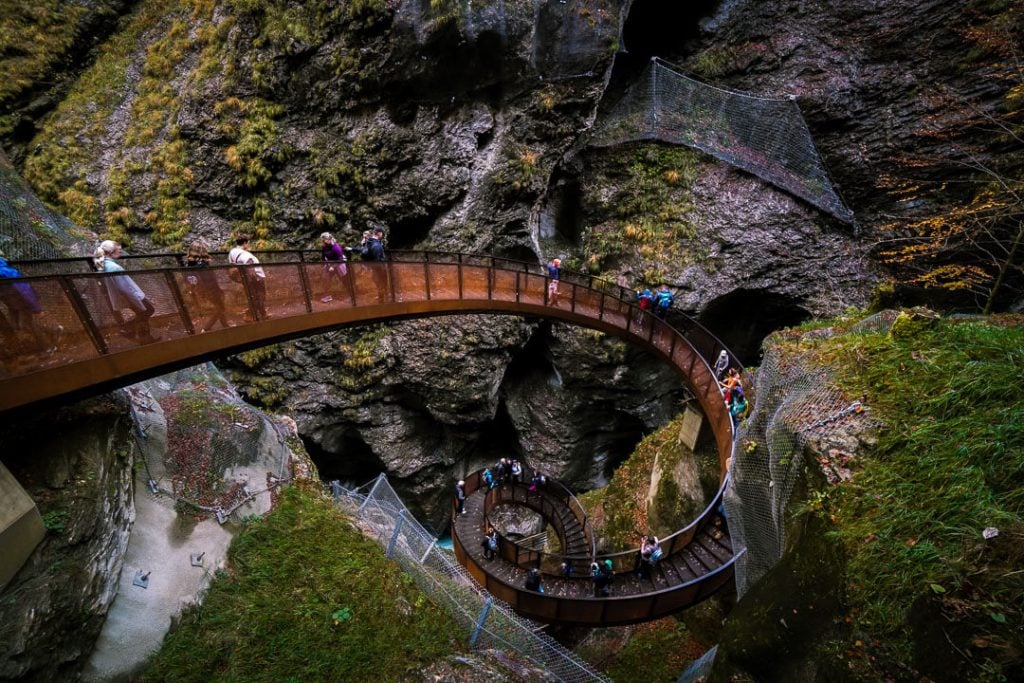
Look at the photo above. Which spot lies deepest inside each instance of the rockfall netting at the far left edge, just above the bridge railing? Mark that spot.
(28, 229)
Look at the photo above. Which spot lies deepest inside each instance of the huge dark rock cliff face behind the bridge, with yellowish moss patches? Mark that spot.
(453, 125)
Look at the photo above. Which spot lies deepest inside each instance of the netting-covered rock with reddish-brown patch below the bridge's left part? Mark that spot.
(204, 448)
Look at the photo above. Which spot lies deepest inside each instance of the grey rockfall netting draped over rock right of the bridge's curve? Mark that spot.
(797, 410)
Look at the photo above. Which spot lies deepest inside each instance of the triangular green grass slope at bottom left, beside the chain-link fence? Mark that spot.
(307, 597)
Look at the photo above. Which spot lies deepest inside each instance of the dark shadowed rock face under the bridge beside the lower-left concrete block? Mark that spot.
(77, 464)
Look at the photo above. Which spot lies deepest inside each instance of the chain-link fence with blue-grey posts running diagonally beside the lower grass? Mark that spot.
(491, 624)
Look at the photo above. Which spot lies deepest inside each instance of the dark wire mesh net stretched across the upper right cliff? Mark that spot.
(766, 137)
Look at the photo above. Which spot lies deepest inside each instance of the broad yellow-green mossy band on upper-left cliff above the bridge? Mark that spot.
(161, 178)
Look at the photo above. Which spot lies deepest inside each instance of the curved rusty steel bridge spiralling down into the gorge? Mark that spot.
(93, 356)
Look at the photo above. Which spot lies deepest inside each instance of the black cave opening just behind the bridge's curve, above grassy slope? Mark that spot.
(744, 318)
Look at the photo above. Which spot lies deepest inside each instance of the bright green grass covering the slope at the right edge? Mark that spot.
(951, 464)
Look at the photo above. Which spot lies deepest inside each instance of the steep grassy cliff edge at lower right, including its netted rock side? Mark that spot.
(875, 493)
